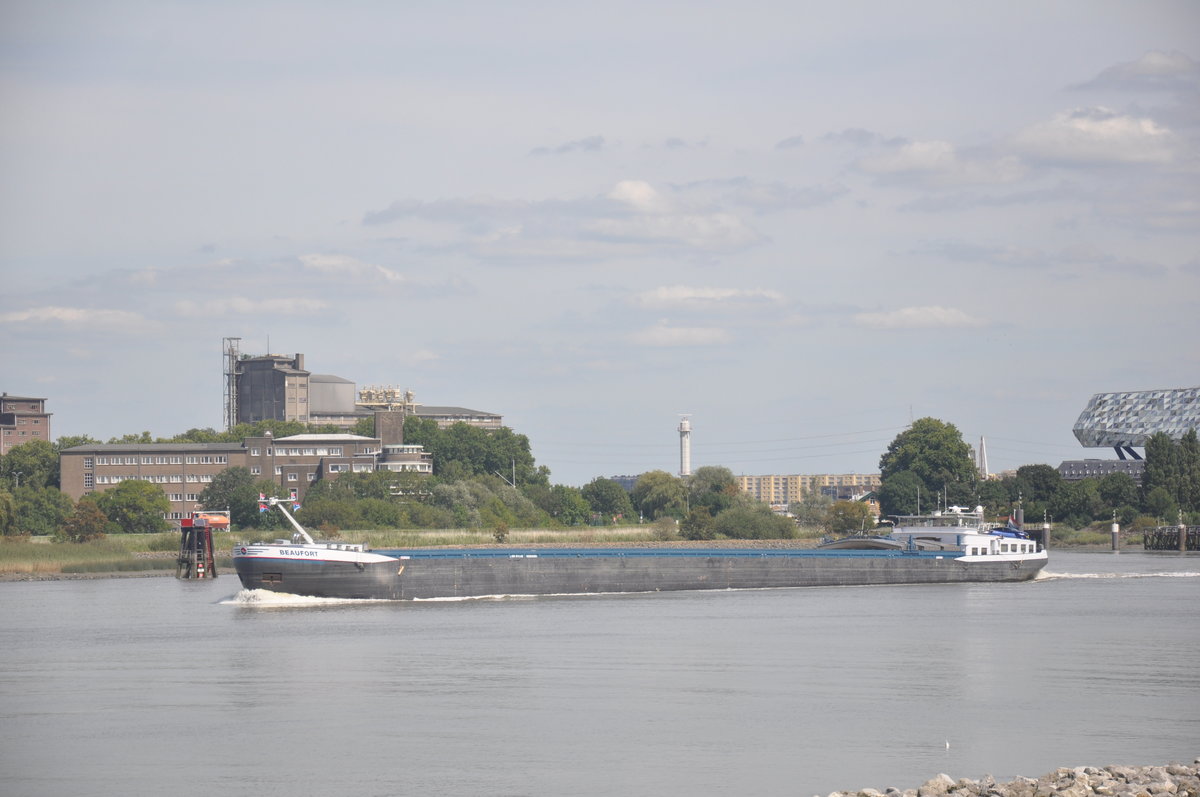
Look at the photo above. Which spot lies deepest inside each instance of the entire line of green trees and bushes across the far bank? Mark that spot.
(490, 480)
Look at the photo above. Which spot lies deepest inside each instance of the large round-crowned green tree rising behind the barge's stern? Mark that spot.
(934, 452)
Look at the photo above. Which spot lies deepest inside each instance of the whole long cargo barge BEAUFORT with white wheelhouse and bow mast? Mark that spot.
(914, 554)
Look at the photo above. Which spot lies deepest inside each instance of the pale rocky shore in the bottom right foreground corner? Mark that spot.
(1172, 780)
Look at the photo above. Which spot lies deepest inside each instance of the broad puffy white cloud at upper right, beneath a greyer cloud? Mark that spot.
(1097, 136)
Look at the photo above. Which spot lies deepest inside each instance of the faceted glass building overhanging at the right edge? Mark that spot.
(1123, 421)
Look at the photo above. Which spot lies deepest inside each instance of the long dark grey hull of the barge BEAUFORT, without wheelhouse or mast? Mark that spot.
(415, 576)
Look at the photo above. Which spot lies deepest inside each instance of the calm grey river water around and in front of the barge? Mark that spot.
(154, 686)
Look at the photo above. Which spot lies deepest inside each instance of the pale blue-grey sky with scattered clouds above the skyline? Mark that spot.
(803, 225)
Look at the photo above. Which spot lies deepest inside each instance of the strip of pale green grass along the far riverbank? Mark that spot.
(23, 559)
